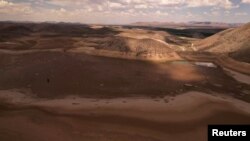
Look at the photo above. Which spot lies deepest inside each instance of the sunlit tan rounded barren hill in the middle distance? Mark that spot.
(138, 41)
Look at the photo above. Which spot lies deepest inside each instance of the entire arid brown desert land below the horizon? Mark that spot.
(75, 82)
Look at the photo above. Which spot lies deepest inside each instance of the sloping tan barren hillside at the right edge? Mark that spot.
(236, 42)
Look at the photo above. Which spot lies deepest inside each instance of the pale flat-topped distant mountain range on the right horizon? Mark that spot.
(191, 24)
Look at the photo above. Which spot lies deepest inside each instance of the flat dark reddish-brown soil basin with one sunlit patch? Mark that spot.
(52, 75)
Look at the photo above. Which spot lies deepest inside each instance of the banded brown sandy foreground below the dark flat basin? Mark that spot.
(182, 118)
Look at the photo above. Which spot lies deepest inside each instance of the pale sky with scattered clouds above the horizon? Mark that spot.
(125, 11)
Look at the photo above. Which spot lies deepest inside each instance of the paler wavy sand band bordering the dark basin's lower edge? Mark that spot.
(194, 105)
